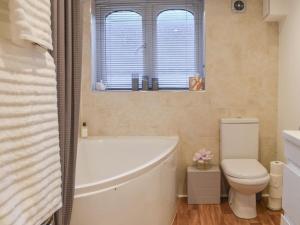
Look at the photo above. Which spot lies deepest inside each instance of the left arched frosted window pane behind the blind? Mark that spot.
(123, 41)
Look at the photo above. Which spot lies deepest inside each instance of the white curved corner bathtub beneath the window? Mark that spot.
(125, 181)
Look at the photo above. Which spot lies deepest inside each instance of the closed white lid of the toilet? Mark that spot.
(243, 168)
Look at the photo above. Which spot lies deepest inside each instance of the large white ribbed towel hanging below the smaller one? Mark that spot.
(30, 170)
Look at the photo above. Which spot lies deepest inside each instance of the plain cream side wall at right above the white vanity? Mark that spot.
(289, 73)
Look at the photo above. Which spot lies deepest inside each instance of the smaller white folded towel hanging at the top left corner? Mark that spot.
(30, 22)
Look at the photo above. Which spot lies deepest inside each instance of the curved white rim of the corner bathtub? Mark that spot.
(92, 188)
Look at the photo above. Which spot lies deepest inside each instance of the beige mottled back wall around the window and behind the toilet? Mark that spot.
(242, 74)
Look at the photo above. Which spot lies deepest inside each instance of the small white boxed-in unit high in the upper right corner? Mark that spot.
(275, 10)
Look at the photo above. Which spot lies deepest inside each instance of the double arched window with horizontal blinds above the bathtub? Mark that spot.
(162, 39)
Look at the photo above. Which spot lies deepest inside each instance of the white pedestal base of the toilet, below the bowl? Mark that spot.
(242, 205)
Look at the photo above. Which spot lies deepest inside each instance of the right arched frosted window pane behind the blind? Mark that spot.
(175, 48)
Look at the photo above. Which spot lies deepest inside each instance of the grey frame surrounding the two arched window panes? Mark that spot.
(149, 12)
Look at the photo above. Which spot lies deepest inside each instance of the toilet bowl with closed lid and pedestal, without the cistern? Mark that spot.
(246, 177)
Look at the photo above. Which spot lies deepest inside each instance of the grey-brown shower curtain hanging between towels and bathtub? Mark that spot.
(66, 29)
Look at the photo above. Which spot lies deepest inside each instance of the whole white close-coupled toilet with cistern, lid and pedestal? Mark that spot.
(239, 146)
